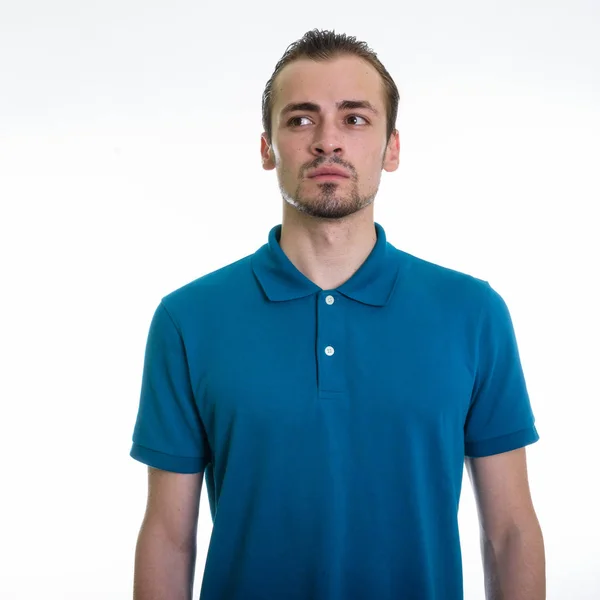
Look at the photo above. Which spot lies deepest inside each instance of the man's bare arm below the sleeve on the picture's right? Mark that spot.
(512, 544)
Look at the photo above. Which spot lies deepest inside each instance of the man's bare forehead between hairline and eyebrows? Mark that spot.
(327, 82)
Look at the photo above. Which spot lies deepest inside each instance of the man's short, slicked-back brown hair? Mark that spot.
(321, 45)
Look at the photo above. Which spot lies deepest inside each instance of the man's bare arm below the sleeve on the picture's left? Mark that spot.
(165, 556)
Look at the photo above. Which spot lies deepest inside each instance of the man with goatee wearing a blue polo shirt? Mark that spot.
(332, 387)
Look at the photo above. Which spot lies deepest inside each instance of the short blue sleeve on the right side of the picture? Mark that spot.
(500, 417)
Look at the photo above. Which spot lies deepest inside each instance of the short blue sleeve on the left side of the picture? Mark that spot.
(168, 432)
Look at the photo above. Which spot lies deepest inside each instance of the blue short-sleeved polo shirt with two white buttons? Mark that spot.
(331, 425)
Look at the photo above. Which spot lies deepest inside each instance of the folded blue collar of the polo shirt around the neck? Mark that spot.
(372, 284)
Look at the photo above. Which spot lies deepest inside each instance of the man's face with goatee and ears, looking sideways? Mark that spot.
(326, 132)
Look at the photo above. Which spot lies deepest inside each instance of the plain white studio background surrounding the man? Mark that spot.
(130, 165)
